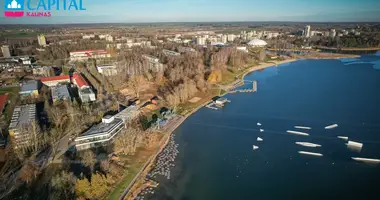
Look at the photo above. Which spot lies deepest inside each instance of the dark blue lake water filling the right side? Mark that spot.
(216, 159)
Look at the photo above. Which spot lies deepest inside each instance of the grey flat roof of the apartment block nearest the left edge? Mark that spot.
(23, 115)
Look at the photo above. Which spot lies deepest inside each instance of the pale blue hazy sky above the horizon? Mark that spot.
(138, 11)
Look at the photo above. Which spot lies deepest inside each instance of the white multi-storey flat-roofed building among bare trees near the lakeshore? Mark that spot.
(100, 134)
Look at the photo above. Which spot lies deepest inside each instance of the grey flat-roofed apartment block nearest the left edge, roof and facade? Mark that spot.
(22, 119)
